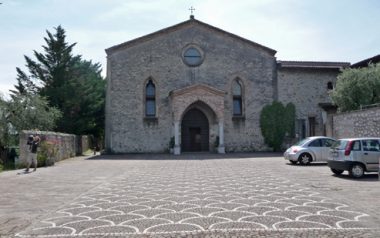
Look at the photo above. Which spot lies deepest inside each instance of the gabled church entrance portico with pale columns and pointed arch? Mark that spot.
(198, 118)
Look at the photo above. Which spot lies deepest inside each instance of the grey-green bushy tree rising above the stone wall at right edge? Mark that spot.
(356, 87)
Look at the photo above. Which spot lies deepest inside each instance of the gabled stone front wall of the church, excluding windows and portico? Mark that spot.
(159, 59)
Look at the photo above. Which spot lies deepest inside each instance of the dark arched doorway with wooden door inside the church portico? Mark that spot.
(195, 131)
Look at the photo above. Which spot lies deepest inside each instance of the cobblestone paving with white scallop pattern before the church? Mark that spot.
(214, 197)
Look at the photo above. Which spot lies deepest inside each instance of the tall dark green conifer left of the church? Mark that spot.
(72, 85)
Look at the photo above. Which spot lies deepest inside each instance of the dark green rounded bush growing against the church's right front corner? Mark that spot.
(275, 121)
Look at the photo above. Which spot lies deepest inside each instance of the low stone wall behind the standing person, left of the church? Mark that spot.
(67, 145)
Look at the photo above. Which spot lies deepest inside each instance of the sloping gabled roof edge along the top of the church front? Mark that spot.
(189, 22)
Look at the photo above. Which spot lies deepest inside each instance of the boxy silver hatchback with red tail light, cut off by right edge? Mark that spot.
(355, 155)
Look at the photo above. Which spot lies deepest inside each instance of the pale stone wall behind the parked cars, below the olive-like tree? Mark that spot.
(363, 123)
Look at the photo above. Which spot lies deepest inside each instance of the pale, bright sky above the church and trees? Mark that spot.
(315, 30)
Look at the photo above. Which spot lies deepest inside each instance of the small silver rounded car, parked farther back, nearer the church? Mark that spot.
(310, 149)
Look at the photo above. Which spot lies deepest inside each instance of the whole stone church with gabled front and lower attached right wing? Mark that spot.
(200, 88)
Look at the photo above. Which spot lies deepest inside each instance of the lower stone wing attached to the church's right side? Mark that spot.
(307, 86)
